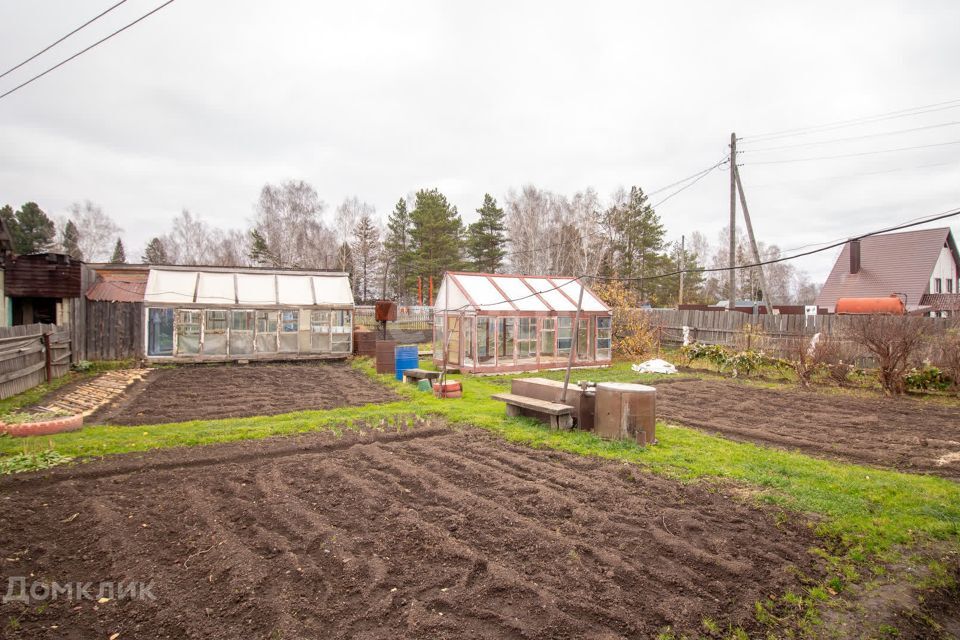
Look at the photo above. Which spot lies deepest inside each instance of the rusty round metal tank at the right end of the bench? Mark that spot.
(626, 411)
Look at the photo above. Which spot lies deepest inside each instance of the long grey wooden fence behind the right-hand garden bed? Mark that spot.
(743, 330)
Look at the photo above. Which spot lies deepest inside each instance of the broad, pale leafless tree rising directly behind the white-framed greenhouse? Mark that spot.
(288, 218)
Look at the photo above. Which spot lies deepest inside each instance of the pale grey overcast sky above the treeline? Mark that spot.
(202, 103)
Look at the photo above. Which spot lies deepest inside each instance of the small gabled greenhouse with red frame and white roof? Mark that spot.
(494, 323)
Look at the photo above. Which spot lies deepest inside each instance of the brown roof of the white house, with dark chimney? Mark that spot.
(890, 263)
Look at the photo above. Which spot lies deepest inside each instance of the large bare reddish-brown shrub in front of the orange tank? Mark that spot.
(894, 341)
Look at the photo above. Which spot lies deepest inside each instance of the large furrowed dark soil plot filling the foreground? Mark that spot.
(422, 532)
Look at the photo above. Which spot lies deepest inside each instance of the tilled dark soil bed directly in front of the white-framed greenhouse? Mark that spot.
(211, 392)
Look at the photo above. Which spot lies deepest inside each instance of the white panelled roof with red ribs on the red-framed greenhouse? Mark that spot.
(513, 293)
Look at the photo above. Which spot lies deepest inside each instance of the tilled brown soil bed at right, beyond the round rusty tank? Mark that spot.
(900, 433)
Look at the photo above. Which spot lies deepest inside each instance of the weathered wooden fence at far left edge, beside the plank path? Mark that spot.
(31, 354)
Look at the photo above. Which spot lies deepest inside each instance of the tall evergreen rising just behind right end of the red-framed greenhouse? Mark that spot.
(637, 240)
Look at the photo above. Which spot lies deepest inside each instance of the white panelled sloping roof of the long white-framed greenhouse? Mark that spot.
(247, 287)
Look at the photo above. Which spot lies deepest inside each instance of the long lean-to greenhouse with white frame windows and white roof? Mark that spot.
(204, 314)
